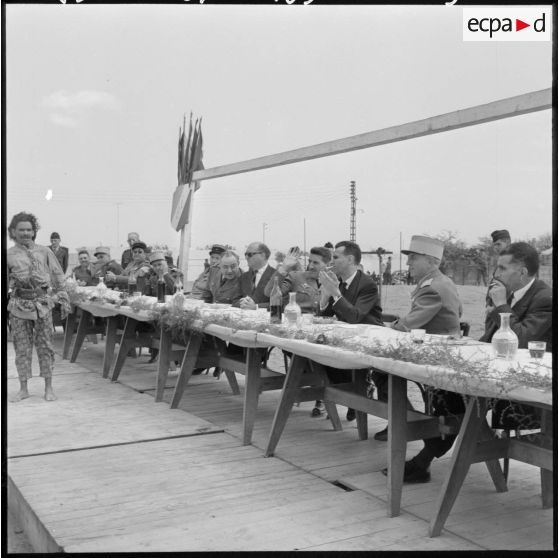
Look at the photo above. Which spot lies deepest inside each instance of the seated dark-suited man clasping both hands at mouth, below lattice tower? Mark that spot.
(349, 294)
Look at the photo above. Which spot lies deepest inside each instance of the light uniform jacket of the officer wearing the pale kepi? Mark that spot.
(435, 306)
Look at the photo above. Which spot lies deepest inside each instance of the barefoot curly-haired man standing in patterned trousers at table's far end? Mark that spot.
(37, 282)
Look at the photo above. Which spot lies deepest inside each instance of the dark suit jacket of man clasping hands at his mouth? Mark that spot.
(360, 304)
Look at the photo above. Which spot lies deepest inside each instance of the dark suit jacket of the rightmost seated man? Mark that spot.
(531, 316)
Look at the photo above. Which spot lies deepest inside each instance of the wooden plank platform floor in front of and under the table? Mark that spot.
(115, 491)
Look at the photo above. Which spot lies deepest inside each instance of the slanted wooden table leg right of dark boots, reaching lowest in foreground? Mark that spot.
(461, 460)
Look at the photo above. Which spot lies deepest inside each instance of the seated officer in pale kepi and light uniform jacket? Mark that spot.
(435, 307)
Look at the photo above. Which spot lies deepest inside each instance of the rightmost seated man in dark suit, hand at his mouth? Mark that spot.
(516, 290)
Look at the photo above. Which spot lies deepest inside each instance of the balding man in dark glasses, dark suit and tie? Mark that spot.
(254, 281)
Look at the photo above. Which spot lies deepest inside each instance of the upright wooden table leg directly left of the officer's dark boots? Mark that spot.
(397, 441)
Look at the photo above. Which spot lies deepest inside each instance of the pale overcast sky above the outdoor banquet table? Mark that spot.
(96, 94)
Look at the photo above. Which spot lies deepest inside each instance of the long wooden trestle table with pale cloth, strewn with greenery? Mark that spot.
(306, 380)
